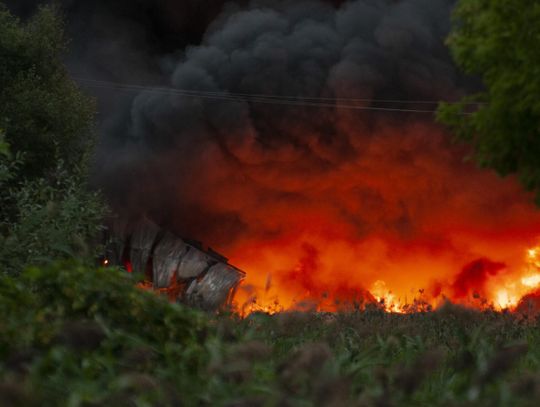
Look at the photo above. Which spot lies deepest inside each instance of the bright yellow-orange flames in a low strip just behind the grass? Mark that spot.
(494, 286)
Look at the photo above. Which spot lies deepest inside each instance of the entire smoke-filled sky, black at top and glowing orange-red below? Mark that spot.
(322, 199)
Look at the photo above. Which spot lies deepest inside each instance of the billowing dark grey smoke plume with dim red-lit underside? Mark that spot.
(363, 49)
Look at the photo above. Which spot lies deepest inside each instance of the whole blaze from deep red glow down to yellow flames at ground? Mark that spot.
(326, 226)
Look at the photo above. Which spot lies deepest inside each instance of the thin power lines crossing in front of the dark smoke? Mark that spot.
(338, 103)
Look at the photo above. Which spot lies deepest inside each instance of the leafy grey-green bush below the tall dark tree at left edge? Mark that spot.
(54, 218)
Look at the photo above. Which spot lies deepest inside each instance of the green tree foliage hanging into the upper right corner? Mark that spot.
(499, 41)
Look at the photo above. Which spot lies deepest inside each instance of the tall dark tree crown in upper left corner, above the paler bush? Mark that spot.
(42, 112)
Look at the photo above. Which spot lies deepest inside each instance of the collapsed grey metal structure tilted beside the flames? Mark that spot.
(183, 269)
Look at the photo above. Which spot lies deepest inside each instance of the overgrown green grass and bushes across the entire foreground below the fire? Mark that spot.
(80, 337)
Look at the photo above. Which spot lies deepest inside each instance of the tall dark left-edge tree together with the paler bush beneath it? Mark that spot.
(46, 209)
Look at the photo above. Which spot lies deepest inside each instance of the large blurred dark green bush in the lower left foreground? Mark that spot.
(71, 335)
